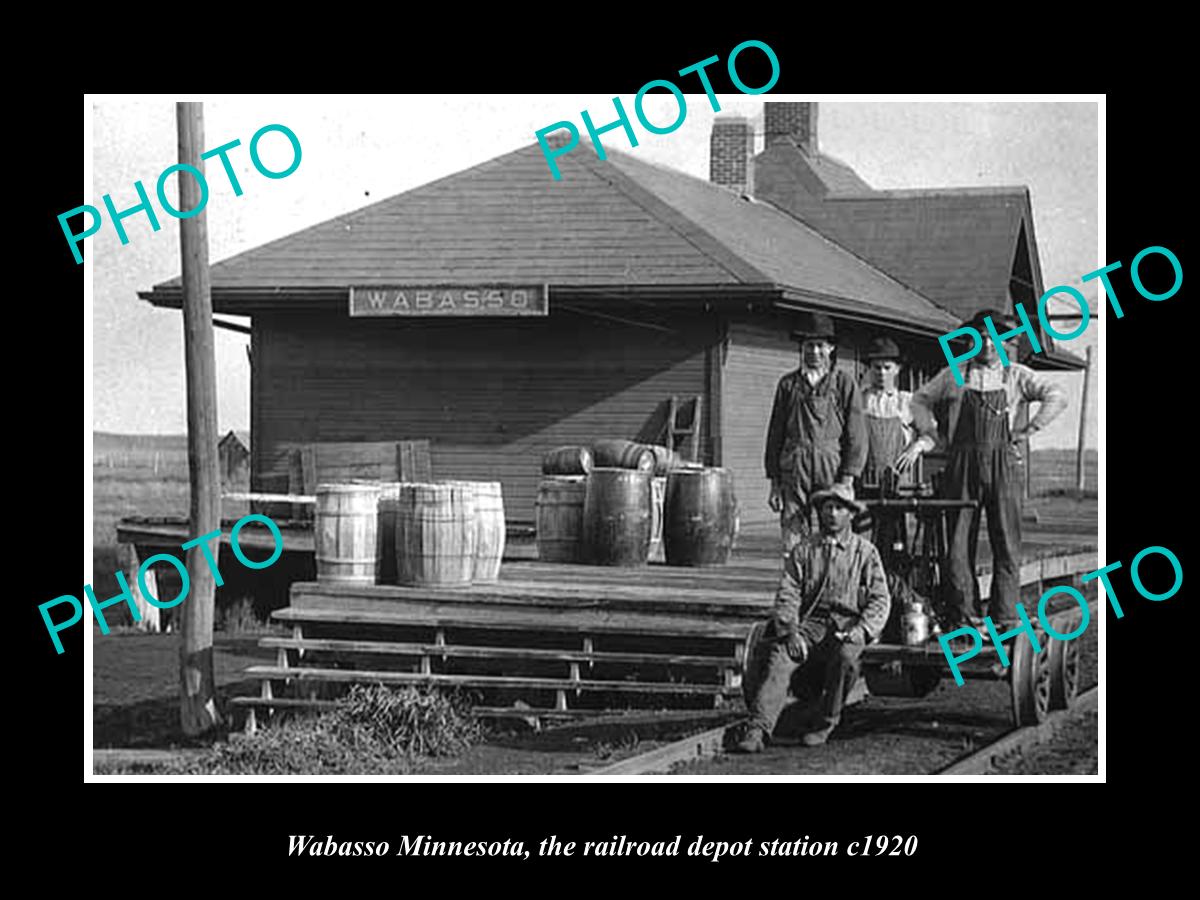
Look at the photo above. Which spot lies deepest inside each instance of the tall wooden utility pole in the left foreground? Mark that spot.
(199, 710)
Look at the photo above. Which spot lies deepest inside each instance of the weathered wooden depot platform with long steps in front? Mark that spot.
(557, 641)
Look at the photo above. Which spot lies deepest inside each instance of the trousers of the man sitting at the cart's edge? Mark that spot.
(837, 661)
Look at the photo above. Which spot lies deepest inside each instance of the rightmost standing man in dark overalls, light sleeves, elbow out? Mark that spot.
(975, 423)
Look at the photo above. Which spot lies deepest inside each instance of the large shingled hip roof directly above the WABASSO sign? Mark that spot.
(616, 224)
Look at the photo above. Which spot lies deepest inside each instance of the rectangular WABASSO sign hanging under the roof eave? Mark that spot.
(484, 301)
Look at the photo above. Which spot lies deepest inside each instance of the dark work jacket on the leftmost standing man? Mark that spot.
(817, 434)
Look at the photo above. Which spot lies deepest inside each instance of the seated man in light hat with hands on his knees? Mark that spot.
(832, 601)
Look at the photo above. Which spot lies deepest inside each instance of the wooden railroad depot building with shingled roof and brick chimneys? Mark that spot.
(499, 313)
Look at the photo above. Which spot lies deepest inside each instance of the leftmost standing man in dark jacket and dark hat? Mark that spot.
(817, 436)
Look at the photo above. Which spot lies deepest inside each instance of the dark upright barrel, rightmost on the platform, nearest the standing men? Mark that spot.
(700, 517)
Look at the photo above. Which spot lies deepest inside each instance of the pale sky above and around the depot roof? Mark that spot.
(362, 149)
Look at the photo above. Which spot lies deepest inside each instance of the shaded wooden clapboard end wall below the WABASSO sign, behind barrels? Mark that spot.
(493, 398)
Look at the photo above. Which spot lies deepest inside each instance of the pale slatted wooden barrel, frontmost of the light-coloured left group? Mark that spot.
(436, 535)
